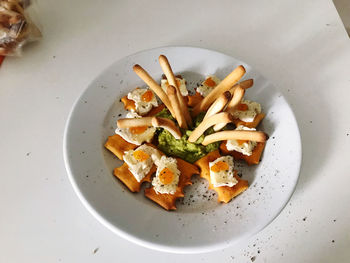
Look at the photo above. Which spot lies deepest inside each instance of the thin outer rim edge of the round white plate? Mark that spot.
(144, 242)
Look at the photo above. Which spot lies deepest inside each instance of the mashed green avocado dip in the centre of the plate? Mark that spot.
(182, 148)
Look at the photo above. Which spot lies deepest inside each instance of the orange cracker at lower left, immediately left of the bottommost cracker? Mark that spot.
(127, 178)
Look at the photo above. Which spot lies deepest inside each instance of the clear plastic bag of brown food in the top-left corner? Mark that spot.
(16, 28)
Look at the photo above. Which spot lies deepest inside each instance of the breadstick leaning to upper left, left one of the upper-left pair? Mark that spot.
(154, 86)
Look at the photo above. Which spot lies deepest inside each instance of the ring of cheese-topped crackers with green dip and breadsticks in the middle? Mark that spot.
(169, 135)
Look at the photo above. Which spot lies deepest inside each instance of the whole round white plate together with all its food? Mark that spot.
(147, 177)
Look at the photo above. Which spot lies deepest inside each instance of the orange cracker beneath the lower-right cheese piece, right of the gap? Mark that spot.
(225, 193)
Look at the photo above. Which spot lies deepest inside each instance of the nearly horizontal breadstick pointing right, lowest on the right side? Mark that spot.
(256, 136)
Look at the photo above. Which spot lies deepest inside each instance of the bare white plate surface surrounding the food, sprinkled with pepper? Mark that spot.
(200, 223)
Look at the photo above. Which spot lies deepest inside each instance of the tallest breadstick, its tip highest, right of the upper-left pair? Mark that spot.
(164, 63)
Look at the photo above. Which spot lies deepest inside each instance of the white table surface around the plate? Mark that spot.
(301, 46)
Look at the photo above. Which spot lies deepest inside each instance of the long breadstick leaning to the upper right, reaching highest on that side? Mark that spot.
(228, 82)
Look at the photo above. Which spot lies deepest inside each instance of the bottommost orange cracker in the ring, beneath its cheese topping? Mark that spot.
(167, 201)
